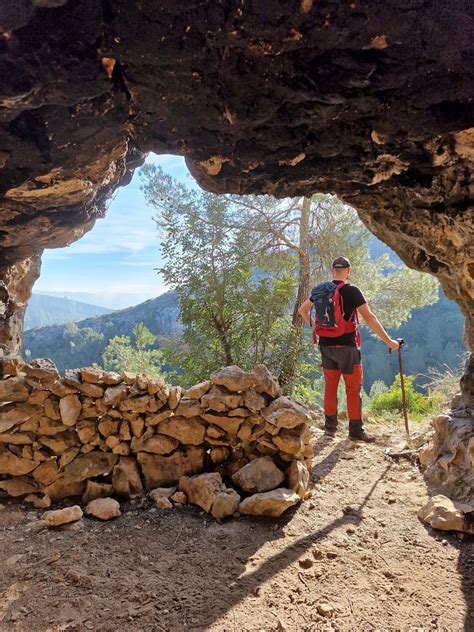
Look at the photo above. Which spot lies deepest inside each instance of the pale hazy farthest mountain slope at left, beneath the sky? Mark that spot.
(44, 310)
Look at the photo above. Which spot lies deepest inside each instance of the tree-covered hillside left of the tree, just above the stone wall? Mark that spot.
(71, 345)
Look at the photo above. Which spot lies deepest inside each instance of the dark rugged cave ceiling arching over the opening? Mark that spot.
(370, 100)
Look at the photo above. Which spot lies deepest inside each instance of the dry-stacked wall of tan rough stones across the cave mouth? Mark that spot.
(94, 433)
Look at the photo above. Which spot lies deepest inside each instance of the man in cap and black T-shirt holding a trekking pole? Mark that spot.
(340, 353)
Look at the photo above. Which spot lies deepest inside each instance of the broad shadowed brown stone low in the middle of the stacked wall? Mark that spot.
(160, 470)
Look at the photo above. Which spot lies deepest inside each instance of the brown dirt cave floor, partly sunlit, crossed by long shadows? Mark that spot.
(354, 557)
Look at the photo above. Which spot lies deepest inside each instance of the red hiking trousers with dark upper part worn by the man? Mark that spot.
(343, 361)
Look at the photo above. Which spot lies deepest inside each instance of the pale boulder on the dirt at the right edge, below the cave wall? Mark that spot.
(448, 515)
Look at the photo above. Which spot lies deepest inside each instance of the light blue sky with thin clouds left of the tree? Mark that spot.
(112, 265)
